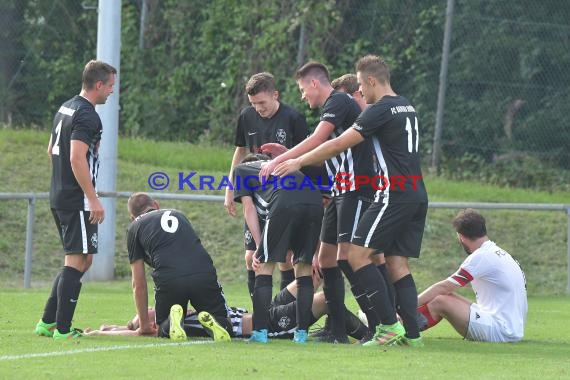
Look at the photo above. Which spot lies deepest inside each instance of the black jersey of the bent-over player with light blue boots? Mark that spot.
(276, 192)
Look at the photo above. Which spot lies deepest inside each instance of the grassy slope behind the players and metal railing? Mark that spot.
(536, 239)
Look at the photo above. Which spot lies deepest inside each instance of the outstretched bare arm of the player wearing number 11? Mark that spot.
(327, 150)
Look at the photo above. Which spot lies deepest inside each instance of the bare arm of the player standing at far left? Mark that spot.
(80, 168)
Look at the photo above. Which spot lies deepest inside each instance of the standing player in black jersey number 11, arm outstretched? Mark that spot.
(394, 223)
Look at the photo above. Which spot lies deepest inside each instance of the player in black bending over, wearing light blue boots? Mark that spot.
(293, 215)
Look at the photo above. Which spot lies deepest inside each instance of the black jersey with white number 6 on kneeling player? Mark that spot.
(166, 241)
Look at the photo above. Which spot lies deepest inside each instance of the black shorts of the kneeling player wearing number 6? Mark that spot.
(202, 291)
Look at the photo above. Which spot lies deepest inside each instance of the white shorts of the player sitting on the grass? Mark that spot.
(483, 327)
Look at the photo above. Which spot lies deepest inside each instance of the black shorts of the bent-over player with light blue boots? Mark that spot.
(296, 228)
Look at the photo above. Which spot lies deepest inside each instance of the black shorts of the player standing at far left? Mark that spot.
(77, 234)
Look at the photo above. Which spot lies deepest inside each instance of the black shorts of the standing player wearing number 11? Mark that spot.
(395, 228)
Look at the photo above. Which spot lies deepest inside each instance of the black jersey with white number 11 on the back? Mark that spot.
(392, 126)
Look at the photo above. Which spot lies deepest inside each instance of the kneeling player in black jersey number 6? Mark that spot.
(182, 269)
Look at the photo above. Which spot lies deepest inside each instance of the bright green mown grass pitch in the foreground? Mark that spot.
(543, 354)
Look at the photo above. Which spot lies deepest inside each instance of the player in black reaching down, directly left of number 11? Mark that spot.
(338, 113)
